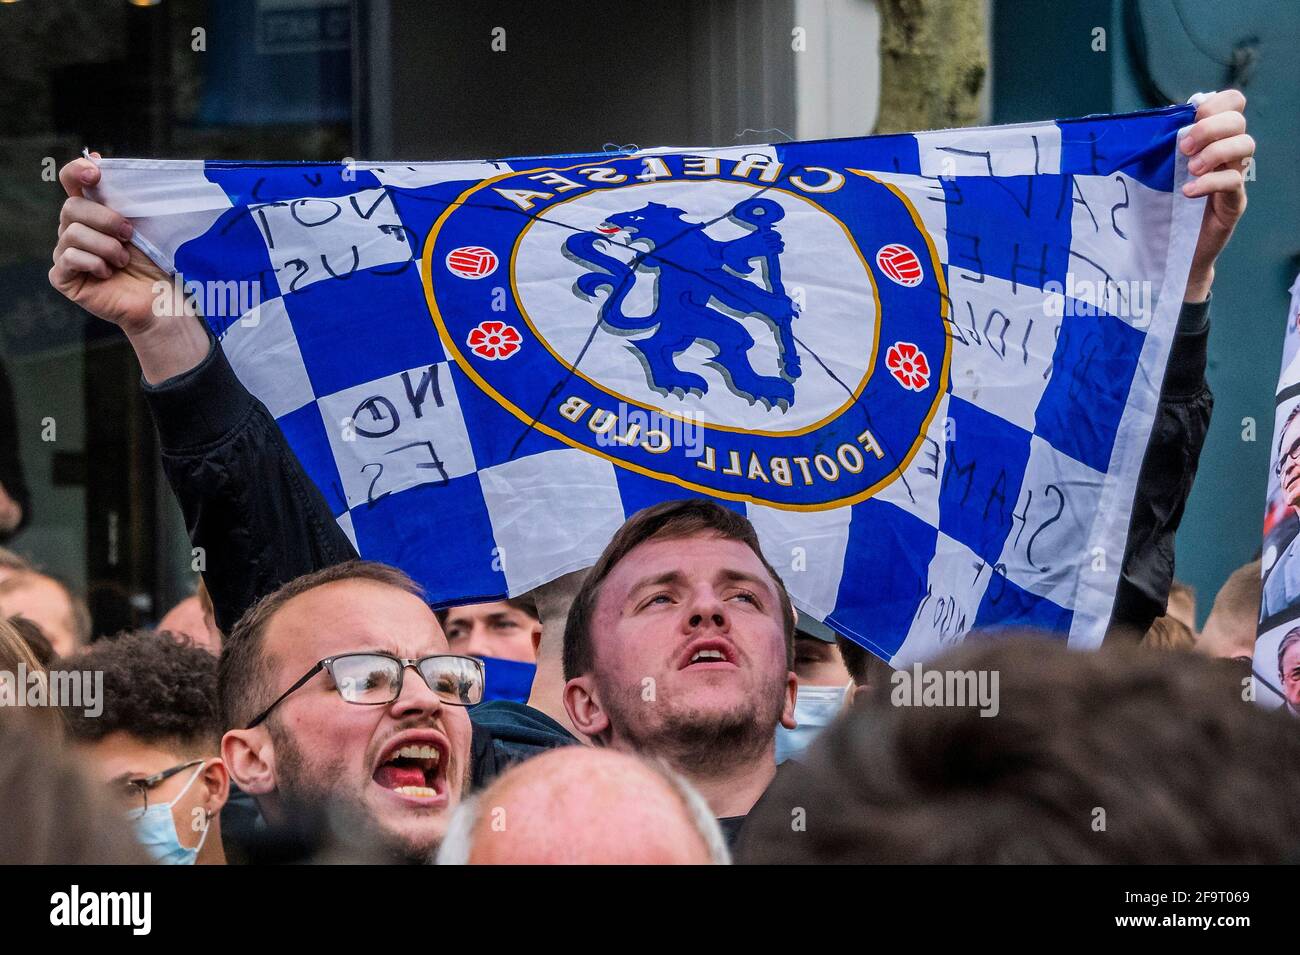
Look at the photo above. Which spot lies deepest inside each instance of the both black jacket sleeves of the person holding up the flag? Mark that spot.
(262, 523)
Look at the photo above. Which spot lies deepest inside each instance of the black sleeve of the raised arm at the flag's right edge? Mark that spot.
(1168, 470)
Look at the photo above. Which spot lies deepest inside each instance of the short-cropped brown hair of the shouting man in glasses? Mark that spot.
(245, 670)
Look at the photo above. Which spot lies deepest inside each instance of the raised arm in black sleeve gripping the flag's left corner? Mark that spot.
(248, 503)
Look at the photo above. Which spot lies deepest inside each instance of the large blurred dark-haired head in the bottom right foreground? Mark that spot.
(1111, 757)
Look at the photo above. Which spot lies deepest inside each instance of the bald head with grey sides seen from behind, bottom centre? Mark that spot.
(586, 806)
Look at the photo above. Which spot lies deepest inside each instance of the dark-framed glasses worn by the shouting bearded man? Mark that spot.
(374, 679)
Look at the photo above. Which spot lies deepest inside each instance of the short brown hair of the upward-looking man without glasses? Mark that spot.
(668, 522)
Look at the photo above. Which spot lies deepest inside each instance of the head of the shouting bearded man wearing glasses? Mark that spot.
(401, 765)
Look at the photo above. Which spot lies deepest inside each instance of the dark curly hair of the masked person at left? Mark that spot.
(157, 689)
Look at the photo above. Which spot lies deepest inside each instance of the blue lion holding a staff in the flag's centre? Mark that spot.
(695, 271)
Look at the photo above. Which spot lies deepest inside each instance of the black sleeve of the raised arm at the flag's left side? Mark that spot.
(246, 500)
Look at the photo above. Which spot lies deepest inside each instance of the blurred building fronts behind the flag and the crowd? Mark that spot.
(432, 80)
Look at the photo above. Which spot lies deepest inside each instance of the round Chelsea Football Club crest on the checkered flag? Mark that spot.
(736, 327)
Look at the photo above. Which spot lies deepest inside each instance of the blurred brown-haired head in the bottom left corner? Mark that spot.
(54, 815)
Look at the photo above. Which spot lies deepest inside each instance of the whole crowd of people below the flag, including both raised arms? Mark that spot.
(307, 705)
